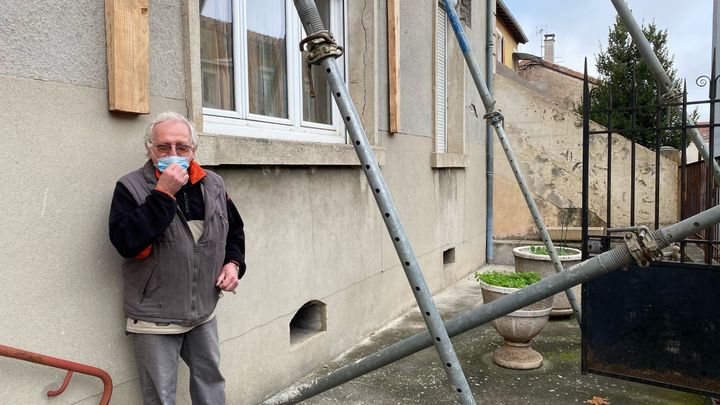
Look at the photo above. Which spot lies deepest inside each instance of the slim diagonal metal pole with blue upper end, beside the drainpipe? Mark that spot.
(495, 119)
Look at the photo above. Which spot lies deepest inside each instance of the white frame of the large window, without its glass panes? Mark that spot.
(243, 123)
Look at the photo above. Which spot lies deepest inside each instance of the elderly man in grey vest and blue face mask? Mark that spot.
(184, 244)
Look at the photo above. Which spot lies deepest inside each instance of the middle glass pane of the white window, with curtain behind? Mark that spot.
(267, 64)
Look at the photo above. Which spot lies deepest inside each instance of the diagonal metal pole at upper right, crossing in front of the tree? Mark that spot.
(663, 80)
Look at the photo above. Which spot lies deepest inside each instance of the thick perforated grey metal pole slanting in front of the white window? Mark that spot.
(321, 42)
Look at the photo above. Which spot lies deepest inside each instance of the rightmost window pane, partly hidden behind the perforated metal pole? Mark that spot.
(318, 108)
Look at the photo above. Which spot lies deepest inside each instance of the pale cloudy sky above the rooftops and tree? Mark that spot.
(581, 30)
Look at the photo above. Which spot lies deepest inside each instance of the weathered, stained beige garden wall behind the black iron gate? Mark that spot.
(547, 140)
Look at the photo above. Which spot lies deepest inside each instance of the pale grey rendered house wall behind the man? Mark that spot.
(313, 232)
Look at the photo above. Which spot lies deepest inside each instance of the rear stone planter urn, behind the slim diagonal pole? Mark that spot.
(526, 261)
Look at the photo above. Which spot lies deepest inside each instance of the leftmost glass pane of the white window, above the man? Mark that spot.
(216, 54)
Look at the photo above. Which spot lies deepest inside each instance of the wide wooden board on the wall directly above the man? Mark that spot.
(128, 41)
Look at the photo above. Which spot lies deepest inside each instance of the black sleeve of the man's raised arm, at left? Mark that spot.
(134, 227)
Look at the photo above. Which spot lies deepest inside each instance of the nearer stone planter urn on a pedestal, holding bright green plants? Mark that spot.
(517, 329)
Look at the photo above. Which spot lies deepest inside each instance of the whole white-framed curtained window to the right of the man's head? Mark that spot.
(254, 81)
